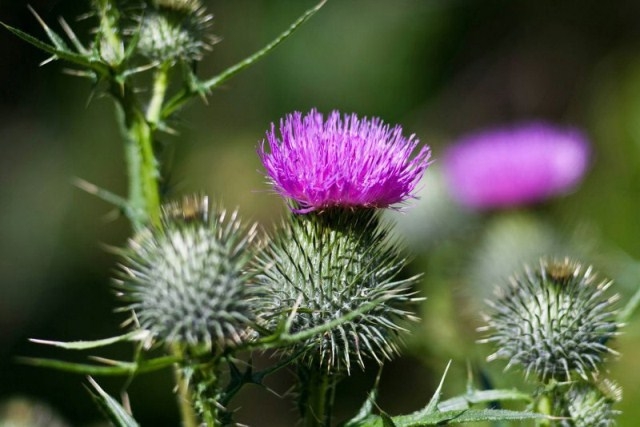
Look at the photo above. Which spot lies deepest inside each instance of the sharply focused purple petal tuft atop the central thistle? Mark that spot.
(347, 162)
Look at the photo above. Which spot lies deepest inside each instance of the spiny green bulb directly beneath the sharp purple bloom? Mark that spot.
(328, 265)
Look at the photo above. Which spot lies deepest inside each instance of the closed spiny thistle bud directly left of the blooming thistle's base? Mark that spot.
(186, 282)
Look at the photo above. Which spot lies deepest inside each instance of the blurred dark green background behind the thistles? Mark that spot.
(440, 68)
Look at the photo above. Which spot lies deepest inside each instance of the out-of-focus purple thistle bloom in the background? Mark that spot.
(515, 165)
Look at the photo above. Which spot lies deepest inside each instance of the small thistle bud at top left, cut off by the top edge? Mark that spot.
(172, 30)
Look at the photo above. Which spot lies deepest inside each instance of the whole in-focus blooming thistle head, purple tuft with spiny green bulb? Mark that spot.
(332, 257)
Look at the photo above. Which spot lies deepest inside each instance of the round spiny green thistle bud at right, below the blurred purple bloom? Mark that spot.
(554, 321)
